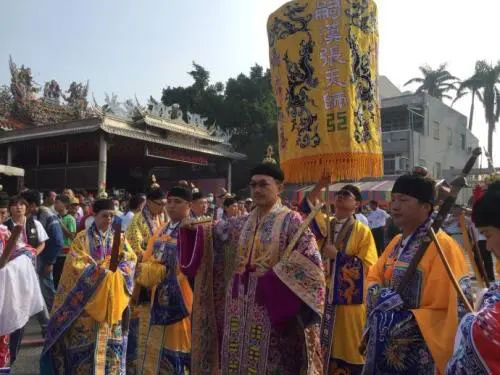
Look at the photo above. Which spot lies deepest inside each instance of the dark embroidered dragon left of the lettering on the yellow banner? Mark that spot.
(300, 80)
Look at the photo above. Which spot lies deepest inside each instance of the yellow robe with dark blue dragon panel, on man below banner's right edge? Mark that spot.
(345, 312)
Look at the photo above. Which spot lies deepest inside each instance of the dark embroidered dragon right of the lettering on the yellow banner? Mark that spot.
(362, 78)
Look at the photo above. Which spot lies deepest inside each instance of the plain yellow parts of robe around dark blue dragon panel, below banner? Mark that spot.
(350, 319)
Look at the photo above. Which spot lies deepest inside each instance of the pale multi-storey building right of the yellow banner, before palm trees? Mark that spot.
(420, 130)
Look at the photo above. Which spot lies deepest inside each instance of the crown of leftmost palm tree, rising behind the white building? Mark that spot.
(435, 82)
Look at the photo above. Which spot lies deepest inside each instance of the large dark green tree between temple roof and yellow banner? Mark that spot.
(244, 106)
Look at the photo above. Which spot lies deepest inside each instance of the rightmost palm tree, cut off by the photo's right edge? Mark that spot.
(489, 76)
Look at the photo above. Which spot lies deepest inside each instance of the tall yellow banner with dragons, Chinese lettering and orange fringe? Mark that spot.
(323, 57)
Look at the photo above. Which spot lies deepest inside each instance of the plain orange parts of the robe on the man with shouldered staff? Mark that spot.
(437, 315)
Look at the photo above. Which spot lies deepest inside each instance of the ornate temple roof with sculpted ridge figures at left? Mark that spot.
(25, 115)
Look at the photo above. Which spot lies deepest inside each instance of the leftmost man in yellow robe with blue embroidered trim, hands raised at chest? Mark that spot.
(87, 332)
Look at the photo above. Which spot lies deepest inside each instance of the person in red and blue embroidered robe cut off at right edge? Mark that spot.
(477, 345)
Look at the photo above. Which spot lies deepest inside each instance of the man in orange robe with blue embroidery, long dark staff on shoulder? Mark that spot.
(413, 332)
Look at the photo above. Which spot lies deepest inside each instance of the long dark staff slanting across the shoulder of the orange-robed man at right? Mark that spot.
(457, 184)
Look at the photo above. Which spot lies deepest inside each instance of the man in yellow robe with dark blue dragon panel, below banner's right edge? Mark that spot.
(348, 252)
